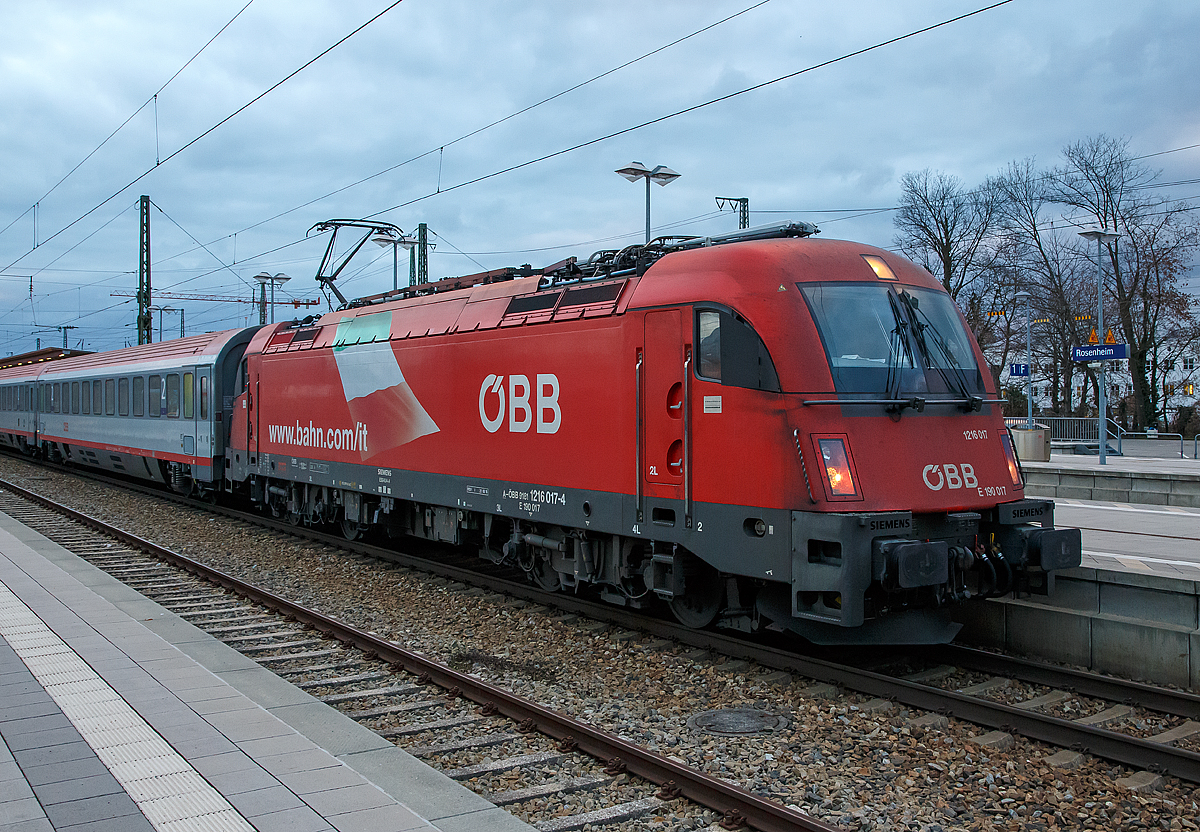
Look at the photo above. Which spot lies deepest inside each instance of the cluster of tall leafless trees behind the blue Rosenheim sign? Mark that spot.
(1021, 231)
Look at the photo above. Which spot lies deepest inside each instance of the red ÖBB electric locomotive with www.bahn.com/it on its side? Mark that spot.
(760, 428)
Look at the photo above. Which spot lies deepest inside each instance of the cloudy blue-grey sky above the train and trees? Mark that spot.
(385, 125)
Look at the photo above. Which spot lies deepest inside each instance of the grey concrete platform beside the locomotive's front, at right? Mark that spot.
(1133, 607)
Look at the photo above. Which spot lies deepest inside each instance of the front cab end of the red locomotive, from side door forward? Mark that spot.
(844, 463)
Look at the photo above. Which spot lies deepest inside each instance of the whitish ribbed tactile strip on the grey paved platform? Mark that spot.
(169, 792)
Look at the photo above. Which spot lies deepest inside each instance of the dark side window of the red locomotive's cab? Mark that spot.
(733, 354)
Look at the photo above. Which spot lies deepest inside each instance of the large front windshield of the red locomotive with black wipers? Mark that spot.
(884, 342)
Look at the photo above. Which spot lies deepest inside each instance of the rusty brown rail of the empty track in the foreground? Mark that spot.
(737, 805)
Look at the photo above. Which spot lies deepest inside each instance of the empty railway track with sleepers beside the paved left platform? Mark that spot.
(472, 731)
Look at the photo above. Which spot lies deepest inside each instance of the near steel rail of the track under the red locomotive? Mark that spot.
(1101, 743)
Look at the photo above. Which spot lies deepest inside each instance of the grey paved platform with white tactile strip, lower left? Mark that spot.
(118, 715)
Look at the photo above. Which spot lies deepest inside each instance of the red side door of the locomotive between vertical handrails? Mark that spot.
(664, 410)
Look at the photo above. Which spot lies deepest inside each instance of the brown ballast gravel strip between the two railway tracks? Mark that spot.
(841, 758)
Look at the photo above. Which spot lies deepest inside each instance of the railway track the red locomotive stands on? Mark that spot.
(1149, 729)
